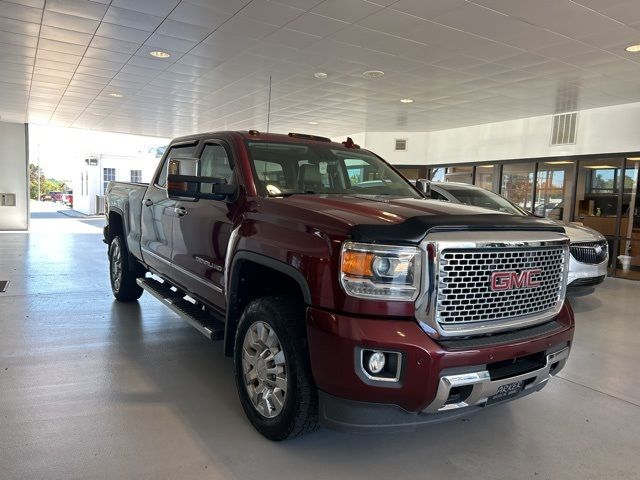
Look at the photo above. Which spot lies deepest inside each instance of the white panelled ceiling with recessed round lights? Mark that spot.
(463, 62)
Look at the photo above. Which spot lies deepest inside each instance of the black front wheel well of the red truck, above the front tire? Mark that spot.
(250, 267)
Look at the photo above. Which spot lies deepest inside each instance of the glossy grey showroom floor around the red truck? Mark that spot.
(90, 388)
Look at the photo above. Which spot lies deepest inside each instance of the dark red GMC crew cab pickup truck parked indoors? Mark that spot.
(345, 297)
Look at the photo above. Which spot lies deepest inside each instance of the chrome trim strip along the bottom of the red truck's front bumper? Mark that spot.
(483, 388)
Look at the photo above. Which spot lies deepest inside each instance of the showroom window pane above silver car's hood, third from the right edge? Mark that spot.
(553, 189)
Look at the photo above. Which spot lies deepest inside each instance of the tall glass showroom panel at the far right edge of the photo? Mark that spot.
(628, 258)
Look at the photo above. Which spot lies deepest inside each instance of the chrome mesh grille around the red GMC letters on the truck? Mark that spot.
(464, 289)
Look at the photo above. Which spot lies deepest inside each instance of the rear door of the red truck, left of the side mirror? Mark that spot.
(158, 213)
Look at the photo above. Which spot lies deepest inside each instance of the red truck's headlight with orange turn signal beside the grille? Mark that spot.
(382, 272)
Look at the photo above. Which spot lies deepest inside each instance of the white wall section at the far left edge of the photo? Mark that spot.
(13, 175)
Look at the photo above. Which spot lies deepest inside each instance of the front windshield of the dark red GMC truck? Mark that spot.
(282, 169)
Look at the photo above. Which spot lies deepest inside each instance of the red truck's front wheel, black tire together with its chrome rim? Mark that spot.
(272, 369)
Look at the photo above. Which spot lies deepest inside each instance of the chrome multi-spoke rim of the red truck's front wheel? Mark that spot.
(264, 369)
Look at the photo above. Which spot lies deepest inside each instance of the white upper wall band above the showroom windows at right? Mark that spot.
(601, 130)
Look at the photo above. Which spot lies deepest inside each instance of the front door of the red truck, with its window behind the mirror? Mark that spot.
(202, 228)
